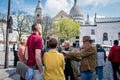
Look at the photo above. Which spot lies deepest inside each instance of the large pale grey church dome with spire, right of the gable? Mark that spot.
(75, 10)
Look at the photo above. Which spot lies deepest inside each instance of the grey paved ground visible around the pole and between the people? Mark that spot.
(10, 73)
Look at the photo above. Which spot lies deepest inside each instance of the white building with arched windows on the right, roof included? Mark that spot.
(103, 31)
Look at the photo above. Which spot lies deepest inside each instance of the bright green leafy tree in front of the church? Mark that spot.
(66, 28)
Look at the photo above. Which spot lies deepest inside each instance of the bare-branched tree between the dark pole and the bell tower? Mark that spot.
(22, 23)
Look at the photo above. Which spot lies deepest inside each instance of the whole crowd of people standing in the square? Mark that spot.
(64, 62)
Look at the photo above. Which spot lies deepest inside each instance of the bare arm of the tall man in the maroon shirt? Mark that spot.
(38, 59)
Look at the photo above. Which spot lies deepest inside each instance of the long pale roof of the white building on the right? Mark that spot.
(107, 20)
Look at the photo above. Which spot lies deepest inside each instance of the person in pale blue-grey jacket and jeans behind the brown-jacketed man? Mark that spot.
(101, 59)
